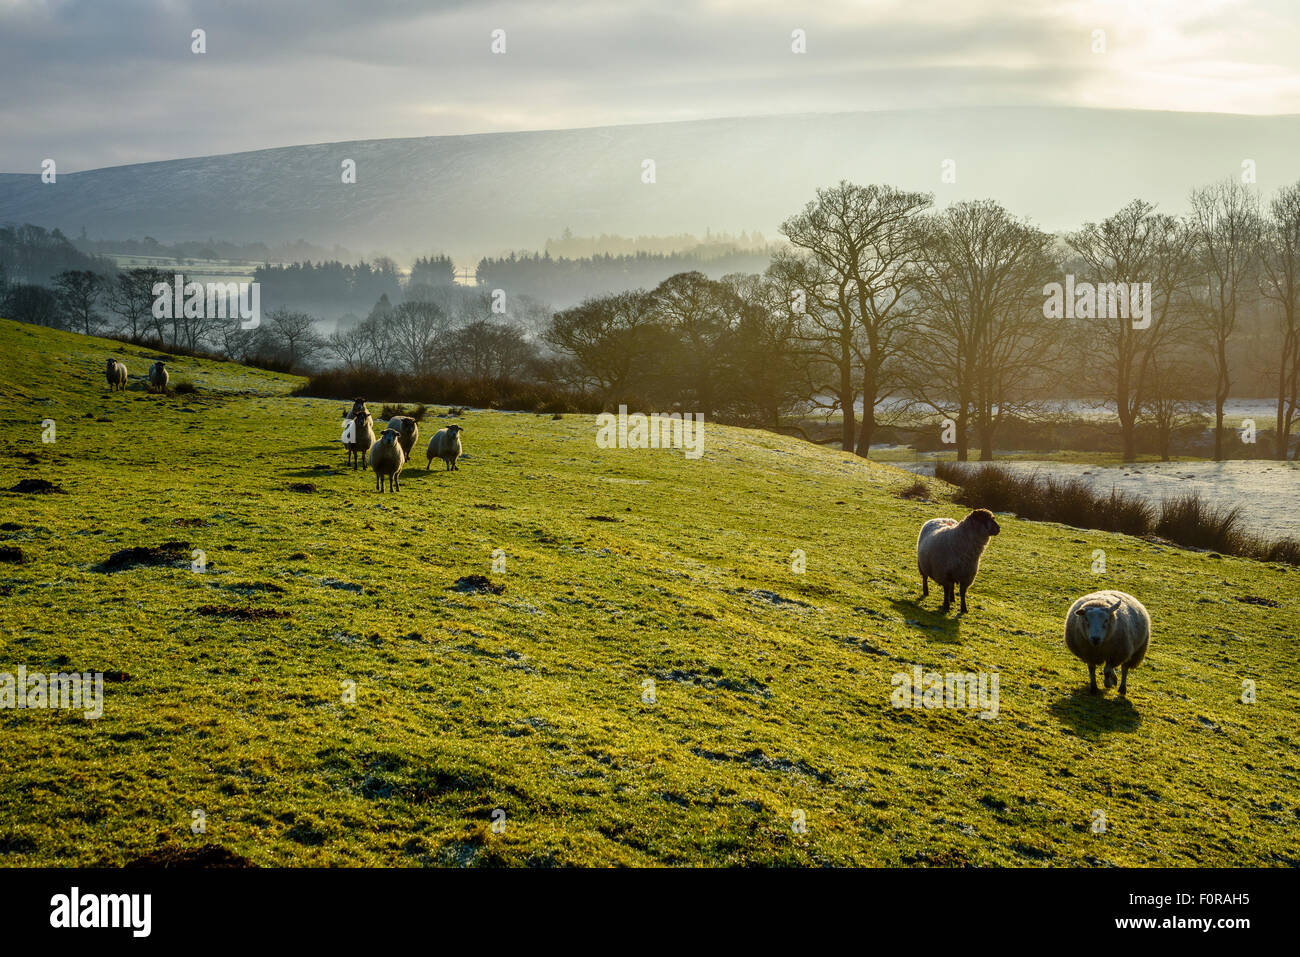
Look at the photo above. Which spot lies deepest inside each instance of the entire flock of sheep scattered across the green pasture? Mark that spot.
(1110, 629)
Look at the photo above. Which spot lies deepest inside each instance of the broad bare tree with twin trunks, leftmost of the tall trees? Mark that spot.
(857, 245)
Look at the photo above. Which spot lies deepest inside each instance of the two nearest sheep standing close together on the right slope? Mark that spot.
(1110, 629)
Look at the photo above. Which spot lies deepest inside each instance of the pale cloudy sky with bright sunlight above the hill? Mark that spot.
(99, 84)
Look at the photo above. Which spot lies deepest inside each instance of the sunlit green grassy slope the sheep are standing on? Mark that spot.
(772, 688)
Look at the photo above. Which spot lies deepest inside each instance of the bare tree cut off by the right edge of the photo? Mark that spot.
(1280, 274)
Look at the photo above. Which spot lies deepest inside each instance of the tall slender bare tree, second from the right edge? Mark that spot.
(1227, 223)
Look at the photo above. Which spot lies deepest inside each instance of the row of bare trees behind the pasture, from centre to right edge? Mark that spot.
(879, 301)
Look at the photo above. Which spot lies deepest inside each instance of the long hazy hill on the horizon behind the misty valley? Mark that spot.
(484, 194)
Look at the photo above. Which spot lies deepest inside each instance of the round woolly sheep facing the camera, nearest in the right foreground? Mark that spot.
(1108, 629)
